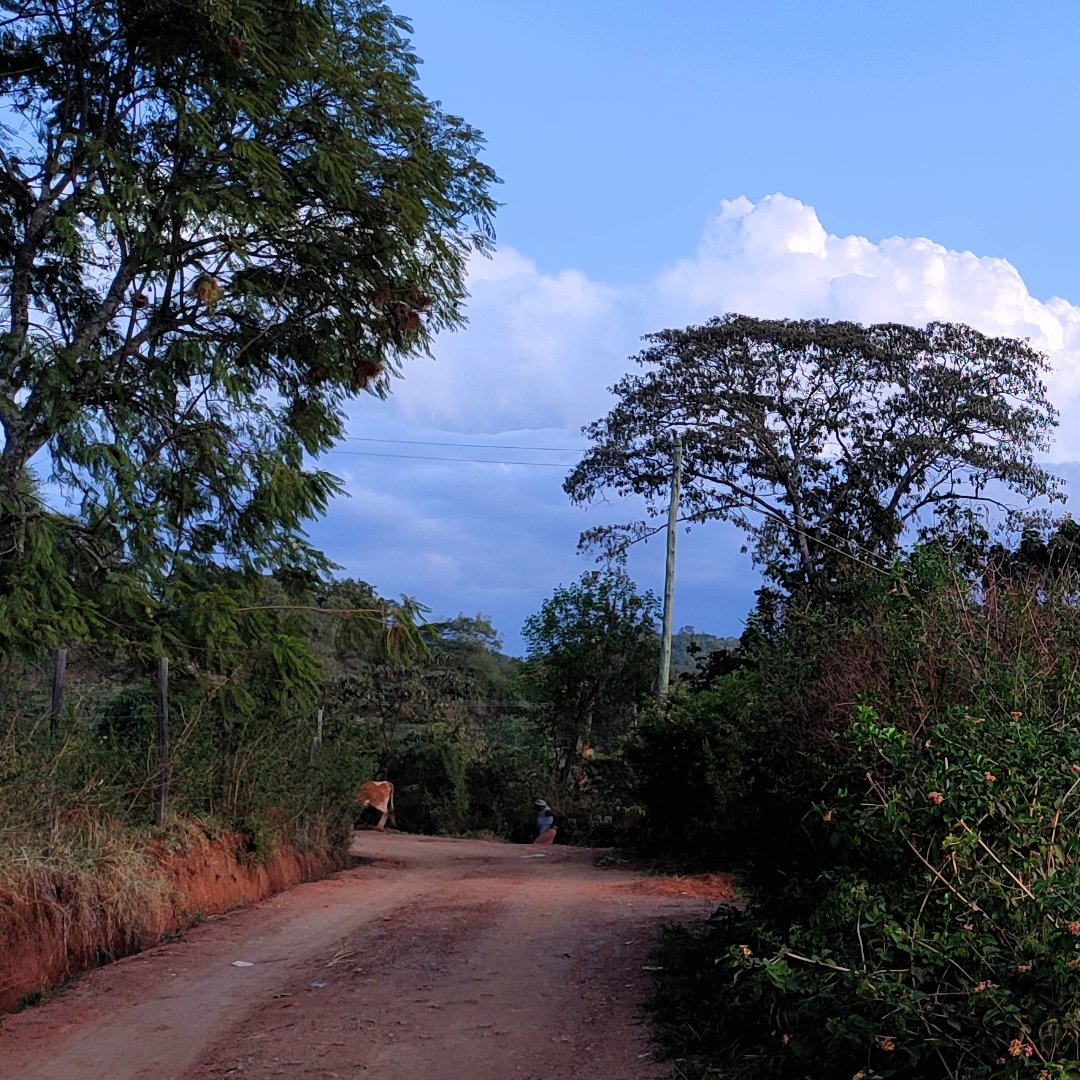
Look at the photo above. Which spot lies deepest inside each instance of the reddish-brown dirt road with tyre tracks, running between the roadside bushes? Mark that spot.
(435, 960)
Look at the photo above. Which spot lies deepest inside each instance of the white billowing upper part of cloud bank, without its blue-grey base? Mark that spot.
(542, 348)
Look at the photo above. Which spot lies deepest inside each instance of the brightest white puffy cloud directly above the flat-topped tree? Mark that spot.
(775, 260)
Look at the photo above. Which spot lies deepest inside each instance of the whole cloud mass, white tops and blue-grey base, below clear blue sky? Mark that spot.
(535, 362)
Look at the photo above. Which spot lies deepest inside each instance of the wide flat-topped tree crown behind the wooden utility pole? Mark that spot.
(820, 439)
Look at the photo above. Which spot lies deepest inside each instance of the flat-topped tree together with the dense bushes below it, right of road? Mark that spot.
(890, 759)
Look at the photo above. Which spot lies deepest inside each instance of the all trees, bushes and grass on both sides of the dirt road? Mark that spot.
(220, 222)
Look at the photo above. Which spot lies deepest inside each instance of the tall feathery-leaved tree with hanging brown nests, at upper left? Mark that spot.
(220, 220)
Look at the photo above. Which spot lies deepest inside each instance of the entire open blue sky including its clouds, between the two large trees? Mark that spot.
(663, 165)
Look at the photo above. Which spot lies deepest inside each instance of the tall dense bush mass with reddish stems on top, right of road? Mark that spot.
(914, 747)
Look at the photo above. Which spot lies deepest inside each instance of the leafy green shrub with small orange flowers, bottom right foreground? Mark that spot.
(946, 941)
